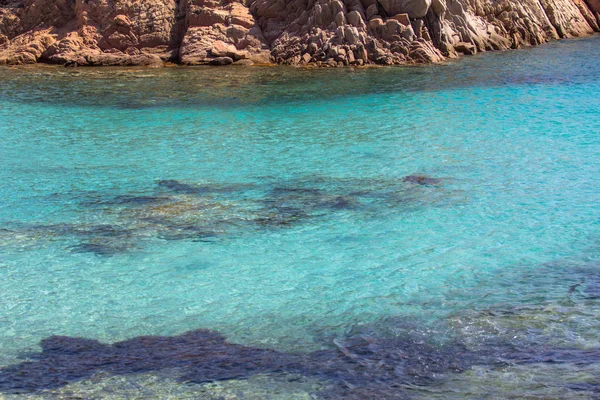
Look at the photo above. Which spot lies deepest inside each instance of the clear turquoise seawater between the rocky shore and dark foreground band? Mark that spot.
(268, 204)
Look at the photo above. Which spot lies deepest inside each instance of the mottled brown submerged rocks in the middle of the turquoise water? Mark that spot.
(178, 210)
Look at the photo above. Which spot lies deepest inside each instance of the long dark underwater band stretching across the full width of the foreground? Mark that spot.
(362, 364)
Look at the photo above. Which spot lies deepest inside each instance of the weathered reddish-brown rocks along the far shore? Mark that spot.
(296, 32)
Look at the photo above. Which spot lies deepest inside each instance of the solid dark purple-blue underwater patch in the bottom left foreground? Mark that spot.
(204, 355)
